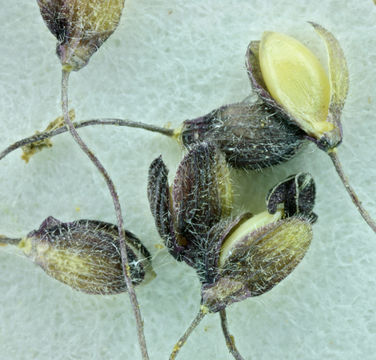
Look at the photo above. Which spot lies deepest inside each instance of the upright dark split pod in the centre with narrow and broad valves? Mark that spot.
(201, 195)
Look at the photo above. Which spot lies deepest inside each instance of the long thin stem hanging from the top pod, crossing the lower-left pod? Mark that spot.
(115, 198)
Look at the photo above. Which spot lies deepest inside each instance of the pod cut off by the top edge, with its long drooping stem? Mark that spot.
(81, 26)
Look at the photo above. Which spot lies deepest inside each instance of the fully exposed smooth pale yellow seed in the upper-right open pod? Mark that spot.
(296, 80)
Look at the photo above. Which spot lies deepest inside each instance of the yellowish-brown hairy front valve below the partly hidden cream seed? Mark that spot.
(258, 261)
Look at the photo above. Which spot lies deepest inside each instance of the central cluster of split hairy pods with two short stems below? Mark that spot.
(234, 258)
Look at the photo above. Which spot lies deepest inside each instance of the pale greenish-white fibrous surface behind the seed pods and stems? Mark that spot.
(168, 61)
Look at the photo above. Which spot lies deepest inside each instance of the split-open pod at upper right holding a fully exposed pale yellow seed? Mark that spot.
(288, 77)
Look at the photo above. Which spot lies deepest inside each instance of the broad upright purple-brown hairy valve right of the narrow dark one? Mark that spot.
(201, 192)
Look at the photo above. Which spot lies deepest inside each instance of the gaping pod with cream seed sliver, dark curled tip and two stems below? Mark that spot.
(250, 255)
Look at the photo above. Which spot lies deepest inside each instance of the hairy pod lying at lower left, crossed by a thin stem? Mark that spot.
(85, 255)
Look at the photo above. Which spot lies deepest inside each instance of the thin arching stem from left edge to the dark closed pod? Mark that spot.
(118, 122)
